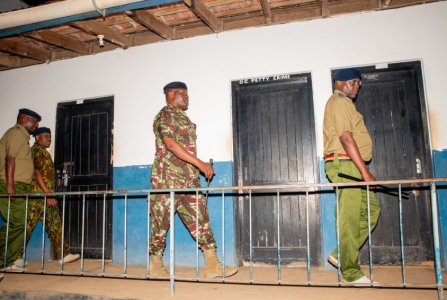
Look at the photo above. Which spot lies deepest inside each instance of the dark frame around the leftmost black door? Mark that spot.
(59, 149)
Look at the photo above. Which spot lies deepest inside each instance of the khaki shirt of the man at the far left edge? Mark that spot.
(15, 142)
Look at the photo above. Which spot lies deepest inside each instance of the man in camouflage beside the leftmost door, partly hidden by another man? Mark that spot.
(44, 181)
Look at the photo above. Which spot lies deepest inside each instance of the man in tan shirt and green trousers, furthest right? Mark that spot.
(347, 146)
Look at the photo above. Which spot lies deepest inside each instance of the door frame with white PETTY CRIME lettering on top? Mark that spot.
(237, 168)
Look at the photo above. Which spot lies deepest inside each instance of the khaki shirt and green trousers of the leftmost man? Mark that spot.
(15, 142)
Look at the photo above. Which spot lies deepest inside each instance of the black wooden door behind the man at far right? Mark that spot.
(391, 101)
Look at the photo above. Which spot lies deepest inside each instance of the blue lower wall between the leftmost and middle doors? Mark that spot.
(138, 177)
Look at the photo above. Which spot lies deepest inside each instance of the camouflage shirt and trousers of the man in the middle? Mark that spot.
(168, 171)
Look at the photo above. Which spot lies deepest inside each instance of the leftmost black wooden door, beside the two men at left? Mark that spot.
(84, 139)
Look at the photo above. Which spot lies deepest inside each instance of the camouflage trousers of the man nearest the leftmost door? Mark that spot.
(35, 213)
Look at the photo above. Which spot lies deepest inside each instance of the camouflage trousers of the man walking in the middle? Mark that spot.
(186, 207)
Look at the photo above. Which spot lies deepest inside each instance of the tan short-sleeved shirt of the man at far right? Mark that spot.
(340, 115)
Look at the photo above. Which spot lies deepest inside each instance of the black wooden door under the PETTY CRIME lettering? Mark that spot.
(274, 137)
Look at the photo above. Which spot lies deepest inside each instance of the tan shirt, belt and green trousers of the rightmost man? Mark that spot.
(341, 116)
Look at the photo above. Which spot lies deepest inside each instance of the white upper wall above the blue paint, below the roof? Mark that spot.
(208, 63)
